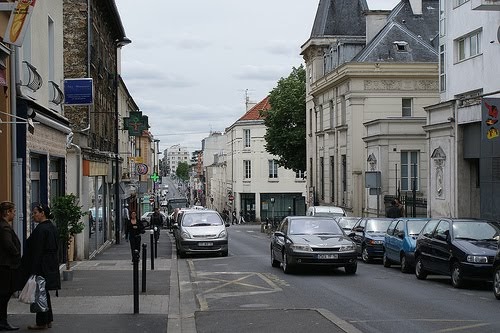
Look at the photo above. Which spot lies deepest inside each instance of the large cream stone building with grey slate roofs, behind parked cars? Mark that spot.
(369, 76)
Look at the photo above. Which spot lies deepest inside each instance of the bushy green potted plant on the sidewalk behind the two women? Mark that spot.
(67, 214)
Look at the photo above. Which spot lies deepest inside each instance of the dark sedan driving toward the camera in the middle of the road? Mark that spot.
(306, 240)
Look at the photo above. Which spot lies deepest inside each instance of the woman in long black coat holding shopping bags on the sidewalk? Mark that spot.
(41, 258)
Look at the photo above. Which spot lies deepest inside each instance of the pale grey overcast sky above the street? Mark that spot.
(191, 62)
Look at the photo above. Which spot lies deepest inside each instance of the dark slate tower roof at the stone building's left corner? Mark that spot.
(340, 18)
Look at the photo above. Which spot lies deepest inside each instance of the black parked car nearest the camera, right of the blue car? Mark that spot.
(461, 248)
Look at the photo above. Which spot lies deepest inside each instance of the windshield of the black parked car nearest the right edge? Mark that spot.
(476, 230)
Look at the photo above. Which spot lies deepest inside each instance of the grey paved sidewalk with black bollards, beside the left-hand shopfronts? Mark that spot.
(100, 296)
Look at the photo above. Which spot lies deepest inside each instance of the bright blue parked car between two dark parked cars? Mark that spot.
(399, 243)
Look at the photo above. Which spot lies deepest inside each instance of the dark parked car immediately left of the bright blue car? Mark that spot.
(368, 234)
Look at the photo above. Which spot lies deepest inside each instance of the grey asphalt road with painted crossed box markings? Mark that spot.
(376, 299)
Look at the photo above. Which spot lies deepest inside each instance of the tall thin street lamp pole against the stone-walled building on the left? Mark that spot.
(119, 43)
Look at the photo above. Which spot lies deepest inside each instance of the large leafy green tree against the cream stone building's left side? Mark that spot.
(286, 121)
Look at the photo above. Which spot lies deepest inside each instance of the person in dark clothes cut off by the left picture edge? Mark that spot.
(10, 260)
